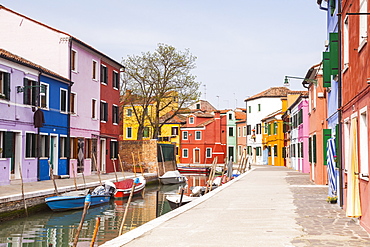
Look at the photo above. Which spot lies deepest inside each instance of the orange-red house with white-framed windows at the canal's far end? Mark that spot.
(203, 138)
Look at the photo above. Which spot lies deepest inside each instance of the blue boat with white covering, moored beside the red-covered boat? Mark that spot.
(76, 199)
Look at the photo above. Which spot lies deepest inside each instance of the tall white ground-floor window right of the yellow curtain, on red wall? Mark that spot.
(364, 168)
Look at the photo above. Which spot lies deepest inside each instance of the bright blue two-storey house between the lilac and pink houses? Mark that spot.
(54, 133)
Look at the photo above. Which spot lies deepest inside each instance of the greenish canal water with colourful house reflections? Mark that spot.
(49, 228)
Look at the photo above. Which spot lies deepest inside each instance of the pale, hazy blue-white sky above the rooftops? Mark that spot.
(243, 47)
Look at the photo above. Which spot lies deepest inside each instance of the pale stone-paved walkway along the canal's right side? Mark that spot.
(268, 206)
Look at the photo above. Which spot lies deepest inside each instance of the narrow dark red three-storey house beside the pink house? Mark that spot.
(109, 114)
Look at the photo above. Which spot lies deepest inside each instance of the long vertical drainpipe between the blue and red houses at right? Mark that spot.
(340, 131)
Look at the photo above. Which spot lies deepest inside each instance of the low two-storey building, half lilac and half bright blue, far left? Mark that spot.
(24, 88)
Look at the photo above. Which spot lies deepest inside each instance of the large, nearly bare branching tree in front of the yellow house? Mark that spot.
(159, 83)
